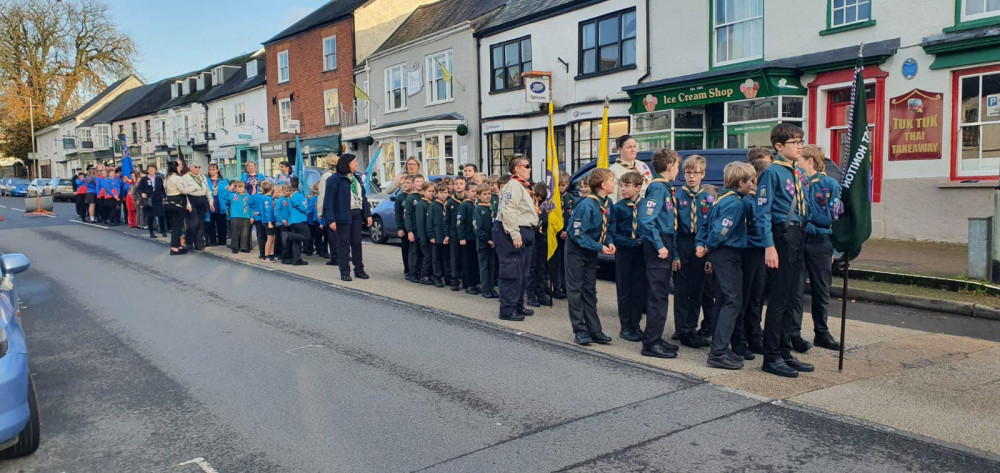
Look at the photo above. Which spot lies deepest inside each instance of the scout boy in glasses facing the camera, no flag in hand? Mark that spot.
(693, 205)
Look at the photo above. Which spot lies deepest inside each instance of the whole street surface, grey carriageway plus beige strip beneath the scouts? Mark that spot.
(147, 361)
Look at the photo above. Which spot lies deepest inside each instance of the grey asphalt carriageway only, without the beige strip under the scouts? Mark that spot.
(144, 362)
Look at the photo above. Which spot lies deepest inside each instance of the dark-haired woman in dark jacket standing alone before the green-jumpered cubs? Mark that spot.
(345, 206)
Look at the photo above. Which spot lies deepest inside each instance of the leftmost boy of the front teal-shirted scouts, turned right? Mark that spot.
(589, 234)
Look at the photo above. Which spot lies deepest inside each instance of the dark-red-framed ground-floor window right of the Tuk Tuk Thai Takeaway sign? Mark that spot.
(978, 124)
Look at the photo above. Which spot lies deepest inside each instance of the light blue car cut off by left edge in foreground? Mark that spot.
(19, 421)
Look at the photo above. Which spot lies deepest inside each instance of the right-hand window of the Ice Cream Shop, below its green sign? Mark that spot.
(748, 123)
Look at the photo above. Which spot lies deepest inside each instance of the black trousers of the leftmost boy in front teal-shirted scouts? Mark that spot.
(581, 289)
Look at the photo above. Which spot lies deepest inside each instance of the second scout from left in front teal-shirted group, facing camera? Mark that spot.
(630, 268)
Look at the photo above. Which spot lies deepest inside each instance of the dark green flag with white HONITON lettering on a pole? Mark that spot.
(854, 225)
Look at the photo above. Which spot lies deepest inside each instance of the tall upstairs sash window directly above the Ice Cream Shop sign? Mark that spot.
(738, 30)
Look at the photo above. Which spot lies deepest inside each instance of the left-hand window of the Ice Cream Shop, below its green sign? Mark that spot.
(679, 129)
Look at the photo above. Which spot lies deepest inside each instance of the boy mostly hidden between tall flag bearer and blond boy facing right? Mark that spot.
(747, 336)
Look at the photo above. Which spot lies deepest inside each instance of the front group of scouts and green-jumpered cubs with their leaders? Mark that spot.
(770, 225)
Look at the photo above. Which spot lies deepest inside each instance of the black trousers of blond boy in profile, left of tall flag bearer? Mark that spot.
(727, 264)
